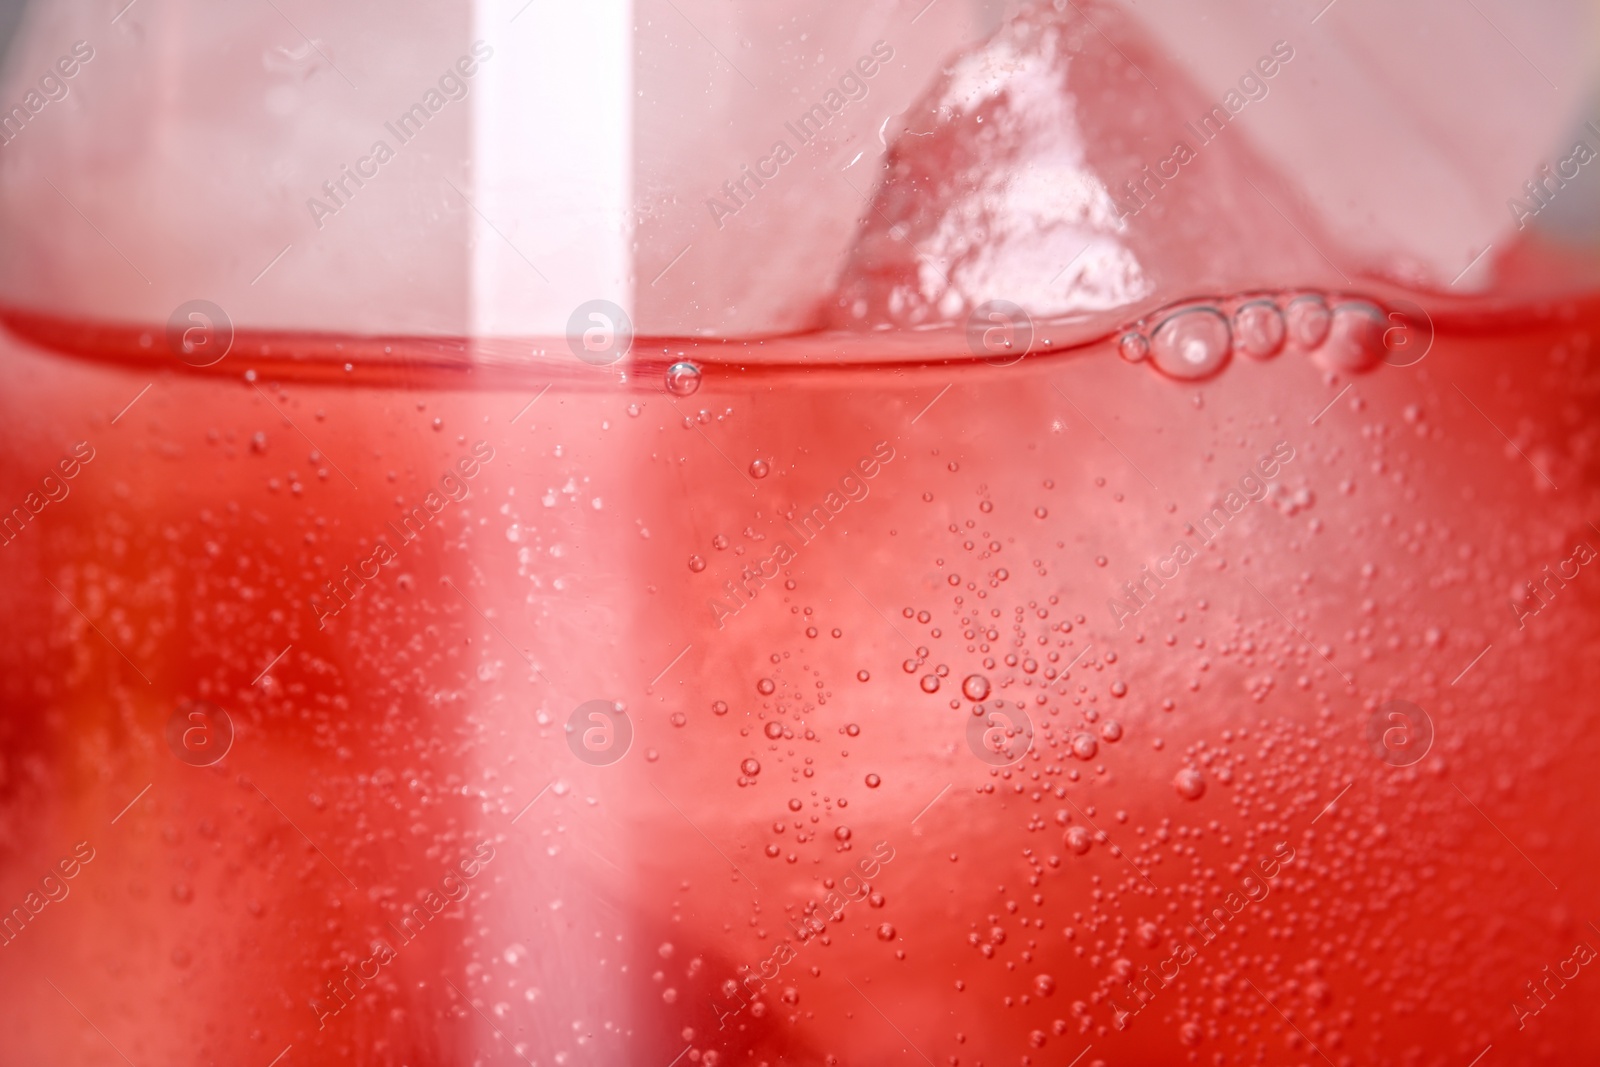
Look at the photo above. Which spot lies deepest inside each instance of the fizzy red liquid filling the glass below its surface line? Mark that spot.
(1191, 753)
